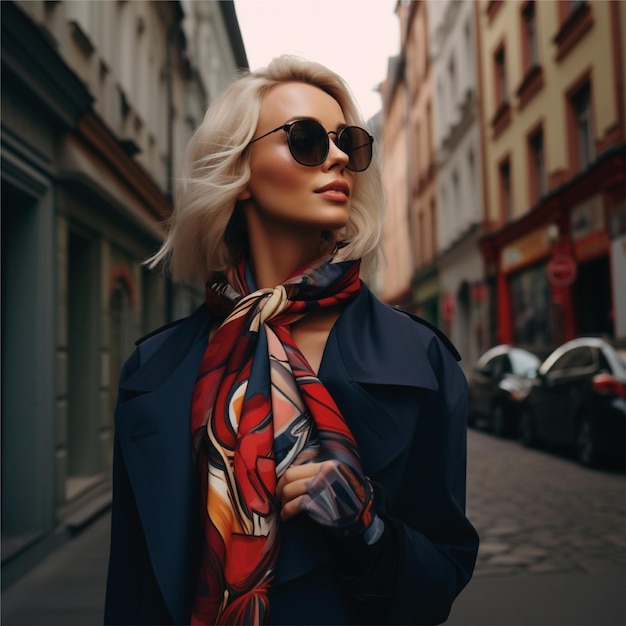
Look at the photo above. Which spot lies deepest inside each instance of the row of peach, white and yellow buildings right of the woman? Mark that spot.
(515, 169)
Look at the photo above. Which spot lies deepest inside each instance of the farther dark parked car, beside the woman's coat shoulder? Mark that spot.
(497, 384)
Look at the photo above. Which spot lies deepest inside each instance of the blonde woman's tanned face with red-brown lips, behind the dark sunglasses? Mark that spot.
(282, 192)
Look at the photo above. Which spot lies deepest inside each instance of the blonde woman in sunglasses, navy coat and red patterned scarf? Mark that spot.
(294, 451)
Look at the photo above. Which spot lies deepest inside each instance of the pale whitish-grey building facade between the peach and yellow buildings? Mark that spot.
(457, 147)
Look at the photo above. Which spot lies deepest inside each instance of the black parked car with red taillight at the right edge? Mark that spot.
(578, 399)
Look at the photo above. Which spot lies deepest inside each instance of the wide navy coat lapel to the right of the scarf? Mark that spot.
(376, 368)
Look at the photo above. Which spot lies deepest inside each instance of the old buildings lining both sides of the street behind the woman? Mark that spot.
(503, 147)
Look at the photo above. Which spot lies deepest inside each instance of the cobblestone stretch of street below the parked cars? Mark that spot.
(541, 513)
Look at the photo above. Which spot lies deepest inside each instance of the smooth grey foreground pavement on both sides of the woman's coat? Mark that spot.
(67, 588)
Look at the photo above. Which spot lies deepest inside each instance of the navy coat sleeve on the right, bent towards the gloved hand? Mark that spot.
(428, 551)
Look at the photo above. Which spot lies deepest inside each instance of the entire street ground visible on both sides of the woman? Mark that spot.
(552, 549)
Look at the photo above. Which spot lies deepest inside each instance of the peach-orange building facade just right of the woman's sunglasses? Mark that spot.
(411, 239)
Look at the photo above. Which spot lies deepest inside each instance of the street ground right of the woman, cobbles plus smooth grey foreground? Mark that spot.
(552, 539)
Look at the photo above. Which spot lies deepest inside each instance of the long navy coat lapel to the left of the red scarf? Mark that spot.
(153, 425)
